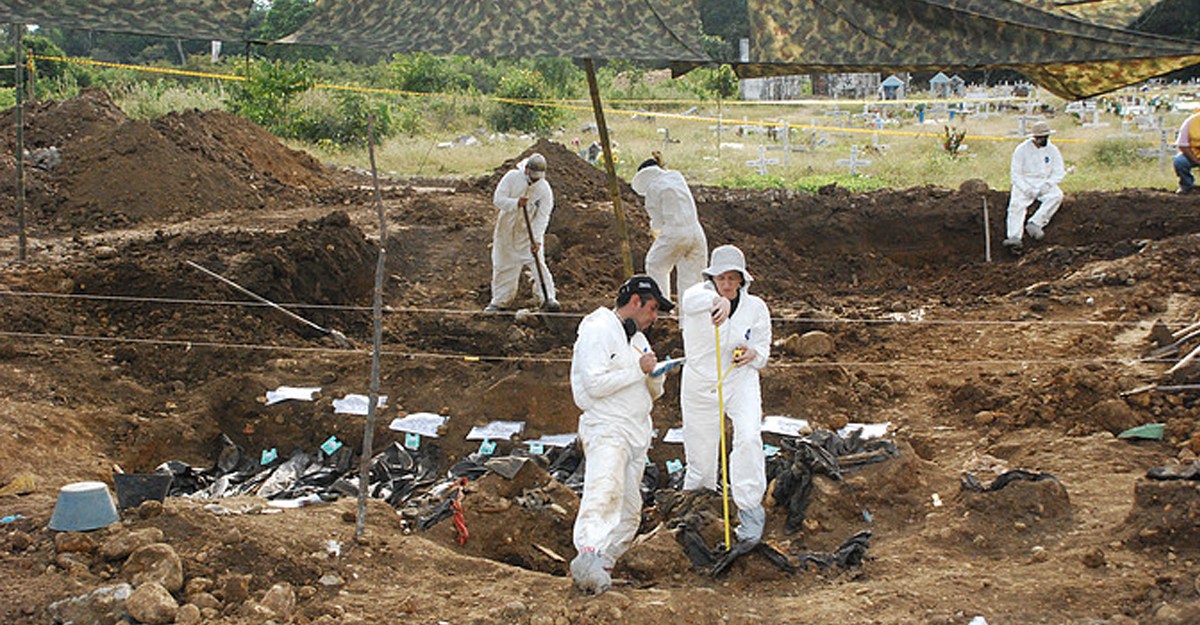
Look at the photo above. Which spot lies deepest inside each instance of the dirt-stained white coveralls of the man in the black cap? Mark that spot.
(615, 431)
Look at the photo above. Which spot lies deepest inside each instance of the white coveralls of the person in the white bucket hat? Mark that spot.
(748, 327)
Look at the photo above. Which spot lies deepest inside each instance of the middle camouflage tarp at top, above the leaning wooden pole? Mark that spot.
(585, 29)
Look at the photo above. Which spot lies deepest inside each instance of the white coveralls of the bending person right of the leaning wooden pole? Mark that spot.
(680, 241)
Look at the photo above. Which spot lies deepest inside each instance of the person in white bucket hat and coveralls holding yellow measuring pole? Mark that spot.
(743, 323)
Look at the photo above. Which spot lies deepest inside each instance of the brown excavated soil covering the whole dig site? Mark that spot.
(116, 351)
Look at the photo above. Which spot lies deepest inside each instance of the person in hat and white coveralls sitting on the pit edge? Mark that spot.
(1036, 172)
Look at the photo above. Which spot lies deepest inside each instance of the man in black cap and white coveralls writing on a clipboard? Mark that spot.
(611, 383)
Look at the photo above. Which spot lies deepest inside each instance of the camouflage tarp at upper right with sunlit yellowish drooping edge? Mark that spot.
(1070, 57)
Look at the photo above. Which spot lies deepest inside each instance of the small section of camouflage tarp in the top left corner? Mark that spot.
(196, 20)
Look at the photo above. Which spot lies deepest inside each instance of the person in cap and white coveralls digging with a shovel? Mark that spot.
(511, 242)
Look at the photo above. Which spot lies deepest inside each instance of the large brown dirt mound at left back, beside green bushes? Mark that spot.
(117, 172)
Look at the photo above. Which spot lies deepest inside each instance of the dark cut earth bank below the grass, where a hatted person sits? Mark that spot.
(884, 244)
